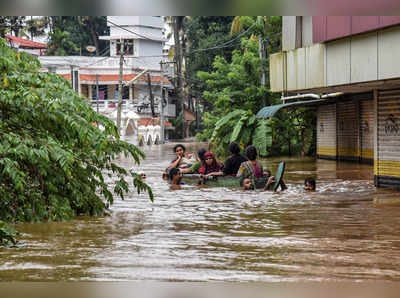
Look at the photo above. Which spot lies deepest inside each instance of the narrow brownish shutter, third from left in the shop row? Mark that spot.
(367, 131)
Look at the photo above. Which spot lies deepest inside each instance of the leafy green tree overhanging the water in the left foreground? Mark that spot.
(53, 159)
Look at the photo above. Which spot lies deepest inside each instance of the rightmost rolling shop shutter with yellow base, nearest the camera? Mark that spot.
(387, 155)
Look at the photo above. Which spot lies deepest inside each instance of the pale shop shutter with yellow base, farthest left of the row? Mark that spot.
(326, 132)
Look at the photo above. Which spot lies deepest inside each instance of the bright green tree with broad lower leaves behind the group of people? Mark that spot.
(234, 90)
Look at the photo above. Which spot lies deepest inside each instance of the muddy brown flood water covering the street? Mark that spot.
(346, 230)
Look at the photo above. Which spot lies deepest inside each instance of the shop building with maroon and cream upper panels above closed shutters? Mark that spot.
(353, 62)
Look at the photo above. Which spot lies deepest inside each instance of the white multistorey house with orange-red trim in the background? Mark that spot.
(143, 41)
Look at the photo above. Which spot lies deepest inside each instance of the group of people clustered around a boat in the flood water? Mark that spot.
(246, 167)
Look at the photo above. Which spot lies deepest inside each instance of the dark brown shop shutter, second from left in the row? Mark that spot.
(348, 131)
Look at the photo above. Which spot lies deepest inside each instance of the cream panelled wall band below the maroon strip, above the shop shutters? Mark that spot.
(357, 59)
